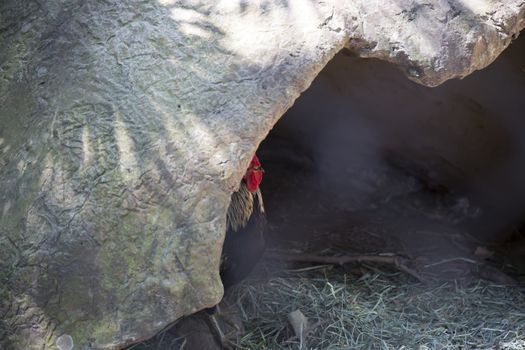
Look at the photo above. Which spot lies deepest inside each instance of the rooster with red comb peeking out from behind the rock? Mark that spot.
(244, 243)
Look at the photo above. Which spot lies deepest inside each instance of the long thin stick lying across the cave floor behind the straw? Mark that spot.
(399, 262)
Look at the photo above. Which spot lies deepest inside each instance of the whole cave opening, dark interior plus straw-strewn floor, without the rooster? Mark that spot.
(370, 164)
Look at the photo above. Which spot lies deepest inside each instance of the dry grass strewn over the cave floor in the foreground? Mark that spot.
(380, 310)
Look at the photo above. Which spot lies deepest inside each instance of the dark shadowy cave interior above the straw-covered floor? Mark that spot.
(367, 161)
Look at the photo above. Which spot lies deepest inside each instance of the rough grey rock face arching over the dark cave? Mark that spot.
(125, 126)
